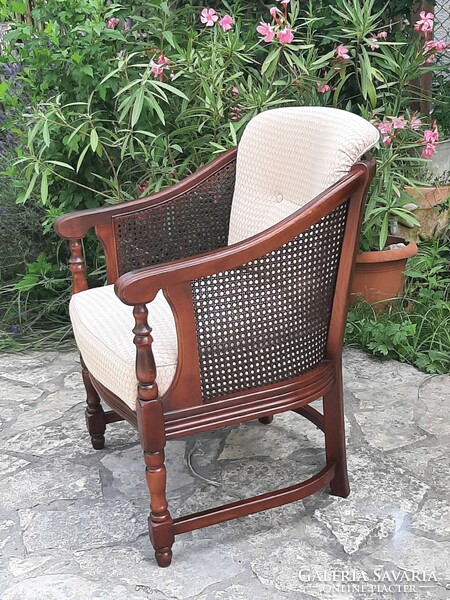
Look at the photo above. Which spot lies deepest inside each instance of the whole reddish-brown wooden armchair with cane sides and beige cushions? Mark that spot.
(226, 299)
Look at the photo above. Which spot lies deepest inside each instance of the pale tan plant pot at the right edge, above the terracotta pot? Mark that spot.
(433, 213)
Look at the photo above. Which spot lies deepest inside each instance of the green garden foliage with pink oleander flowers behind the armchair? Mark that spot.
(104, 102)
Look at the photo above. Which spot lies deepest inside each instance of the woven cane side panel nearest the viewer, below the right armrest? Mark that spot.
(267, 320)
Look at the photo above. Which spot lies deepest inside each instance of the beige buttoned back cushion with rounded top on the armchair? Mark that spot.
(289, 155)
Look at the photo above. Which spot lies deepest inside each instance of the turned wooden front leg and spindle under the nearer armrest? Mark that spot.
(150, 417)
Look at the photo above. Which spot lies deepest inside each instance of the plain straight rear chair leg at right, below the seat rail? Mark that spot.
(333, 409)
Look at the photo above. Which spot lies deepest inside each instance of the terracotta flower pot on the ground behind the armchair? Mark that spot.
(379, 275)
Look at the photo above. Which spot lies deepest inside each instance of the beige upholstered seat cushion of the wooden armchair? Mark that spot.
(103, 325)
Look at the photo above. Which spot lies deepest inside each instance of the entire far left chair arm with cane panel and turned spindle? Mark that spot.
(185, 219)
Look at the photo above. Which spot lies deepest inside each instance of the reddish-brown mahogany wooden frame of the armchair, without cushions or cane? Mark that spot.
(182, 410)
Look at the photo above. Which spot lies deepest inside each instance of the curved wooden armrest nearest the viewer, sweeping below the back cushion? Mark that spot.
(141, 286)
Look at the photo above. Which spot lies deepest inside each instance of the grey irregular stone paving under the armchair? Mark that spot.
(73, 521)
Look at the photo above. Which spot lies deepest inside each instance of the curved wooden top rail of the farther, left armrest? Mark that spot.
(76, 225)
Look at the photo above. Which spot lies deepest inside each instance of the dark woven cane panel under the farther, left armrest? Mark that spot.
(195, 222)
